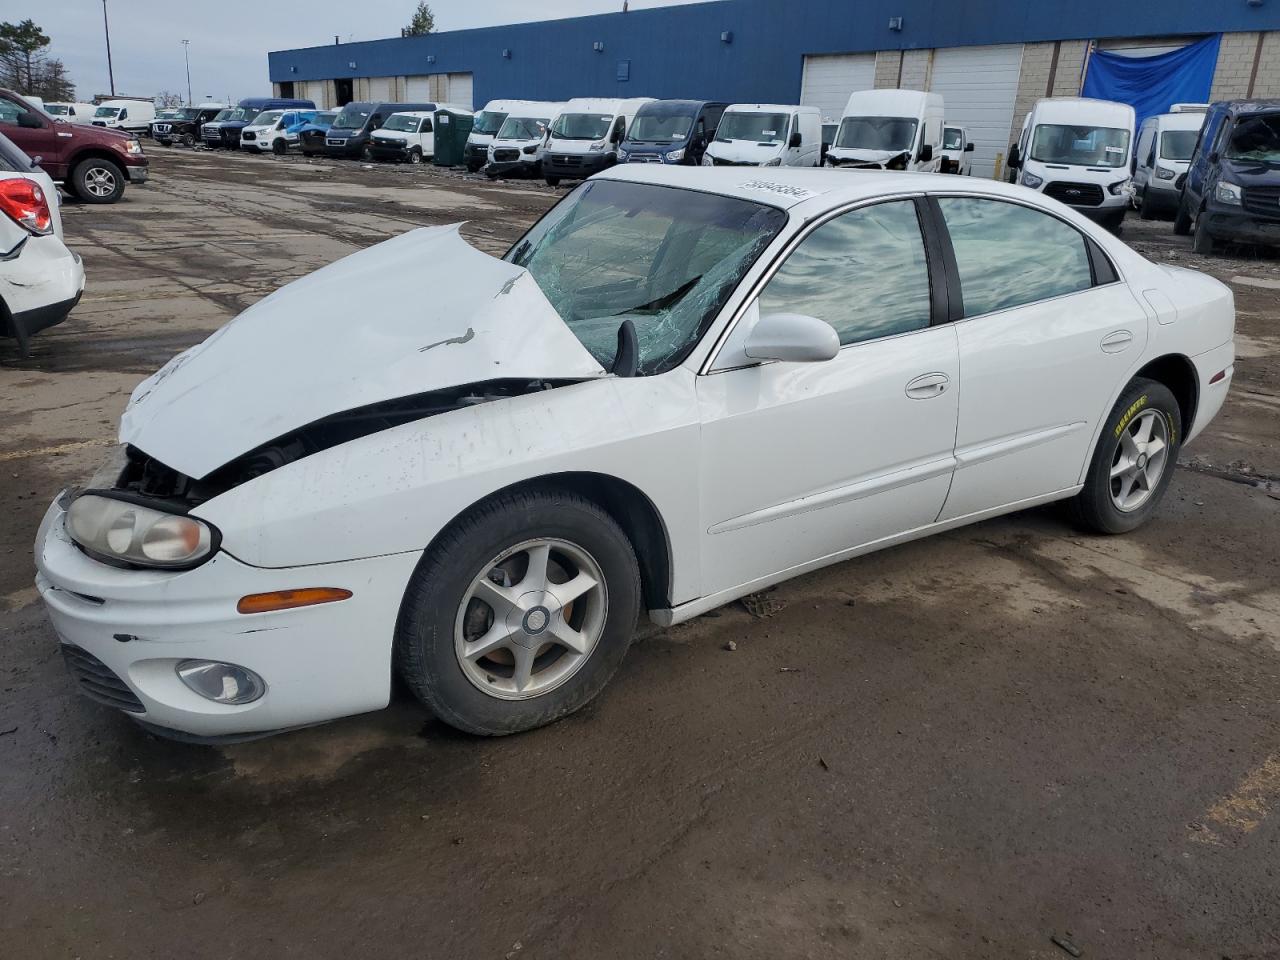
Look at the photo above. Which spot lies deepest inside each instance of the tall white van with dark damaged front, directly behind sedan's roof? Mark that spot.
(890, 130)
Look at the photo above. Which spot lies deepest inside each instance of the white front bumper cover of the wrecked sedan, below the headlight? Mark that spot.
(319, 664)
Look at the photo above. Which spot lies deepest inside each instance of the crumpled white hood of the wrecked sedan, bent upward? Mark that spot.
(420, 313)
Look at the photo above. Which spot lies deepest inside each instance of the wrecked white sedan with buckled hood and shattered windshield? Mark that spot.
(680, 387)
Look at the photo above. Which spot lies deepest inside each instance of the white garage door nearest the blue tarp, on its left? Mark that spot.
(980, 86)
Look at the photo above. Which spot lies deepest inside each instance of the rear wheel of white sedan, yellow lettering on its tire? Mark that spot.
(1133, 463)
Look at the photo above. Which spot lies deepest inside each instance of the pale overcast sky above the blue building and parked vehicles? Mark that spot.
(230, 39)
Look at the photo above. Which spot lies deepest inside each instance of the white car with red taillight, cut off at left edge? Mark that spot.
(42, 281)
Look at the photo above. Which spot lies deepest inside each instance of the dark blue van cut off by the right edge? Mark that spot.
(1232, 193)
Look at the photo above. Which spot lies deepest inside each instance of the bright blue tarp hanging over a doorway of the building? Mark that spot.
(1151, 85)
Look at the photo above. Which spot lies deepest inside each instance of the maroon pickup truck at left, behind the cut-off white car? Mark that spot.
(93, 163)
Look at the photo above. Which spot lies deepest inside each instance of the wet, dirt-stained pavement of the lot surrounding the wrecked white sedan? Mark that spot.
(953, 749)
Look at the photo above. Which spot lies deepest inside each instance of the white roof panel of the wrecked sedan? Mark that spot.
(789, 188)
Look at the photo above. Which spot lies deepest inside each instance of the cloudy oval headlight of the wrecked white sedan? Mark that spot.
(127, 533)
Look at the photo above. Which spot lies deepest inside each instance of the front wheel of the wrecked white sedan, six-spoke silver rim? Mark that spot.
(520, 614)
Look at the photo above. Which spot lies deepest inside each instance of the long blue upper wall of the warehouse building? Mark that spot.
(678, 52)
